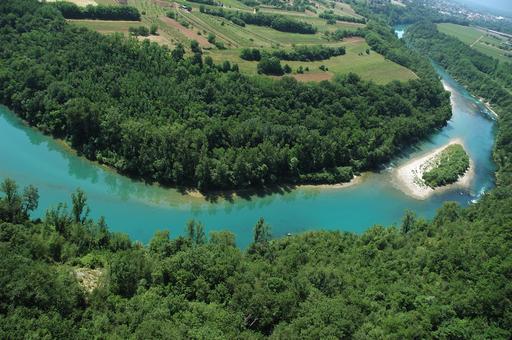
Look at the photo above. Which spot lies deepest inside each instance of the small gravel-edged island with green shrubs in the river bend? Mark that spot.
(447, 165)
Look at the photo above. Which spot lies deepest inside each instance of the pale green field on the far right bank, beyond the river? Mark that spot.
(478, 39)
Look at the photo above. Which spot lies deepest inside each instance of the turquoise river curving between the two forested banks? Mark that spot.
(139, 210)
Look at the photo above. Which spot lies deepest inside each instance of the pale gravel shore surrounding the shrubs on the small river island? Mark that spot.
(408, 177)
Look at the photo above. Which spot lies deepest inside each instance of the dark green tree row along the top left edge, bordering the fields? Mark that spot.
(99, 12)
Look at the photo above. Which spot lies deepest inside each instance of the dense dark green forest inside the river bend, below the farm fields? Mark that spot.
(167, 116)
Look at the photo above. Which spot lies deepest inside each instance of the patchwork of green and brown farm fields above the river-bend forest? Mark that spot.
(370, 66)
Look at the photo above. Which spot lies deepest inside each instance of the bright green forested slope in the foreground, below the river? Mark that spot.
(449, 278)
